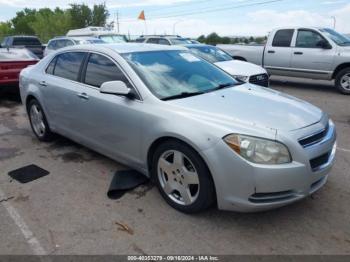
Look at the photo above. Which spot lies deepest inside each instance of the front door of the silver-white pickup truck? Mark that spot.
(309, 58)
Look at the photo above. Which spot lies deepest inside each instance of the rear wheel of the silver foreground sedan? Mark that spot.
(38, 122)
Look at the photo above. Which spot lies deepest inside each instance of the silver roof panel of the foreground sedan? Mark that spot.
(127, 47)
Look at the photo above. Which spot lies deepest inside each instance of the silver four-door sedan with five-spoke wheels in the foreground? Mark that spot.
(203, 137)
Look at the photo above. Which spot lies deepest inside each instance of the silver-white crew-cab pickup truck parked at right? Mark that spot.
(315, 53)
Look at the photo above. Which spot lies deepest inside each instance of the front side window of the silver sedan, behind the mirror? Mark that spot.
(101, 69)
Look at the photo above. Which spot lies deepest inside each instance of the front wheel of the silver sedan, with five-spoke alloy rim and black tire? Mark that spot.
(185, 183)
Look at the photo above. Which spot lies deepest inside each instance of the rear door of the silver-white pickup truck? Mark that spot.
(278, 53)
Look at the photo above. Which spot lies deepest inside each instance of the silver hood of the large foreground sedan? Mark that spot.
(250, 105)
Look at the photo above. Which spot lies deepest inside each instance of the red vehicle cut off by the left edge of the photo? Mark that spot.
(12, 61)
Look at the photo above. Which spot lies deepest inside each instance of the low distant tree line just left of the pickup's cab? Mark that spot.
(214, 38)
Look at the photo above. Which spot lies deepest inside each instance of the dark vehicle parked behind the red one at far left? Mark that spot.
(32, 43)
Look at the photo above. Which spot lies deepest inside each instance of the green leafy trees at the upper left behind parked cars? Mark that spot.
(46, 23)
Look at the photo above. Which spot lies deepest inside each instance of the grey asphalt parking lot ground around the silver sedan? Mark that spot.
(68, 212)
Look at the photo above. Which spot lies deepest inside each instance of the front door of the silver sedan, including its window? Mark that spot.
(108, 122)
